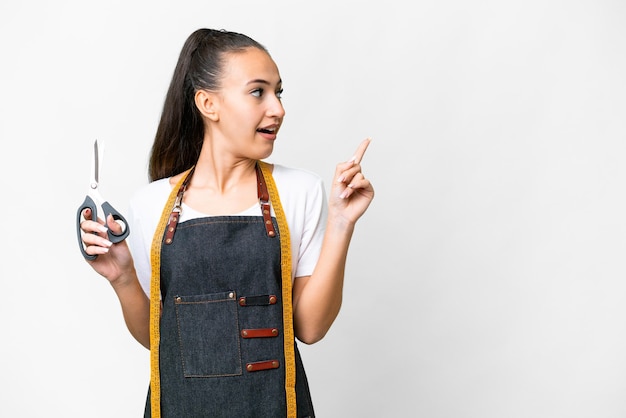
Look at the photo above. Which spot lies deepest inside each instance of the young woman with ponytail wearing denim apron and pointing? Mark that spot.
(232, 258)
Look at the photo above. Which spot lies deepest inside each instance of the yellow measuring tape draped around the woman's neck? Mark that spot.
(155, 296)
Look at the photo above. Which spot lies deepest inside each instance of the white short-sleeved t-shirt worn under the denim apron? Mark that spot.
(302, 196)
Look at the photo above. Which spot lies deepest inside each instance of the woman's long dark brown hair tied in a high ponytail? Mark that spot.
(180, 132)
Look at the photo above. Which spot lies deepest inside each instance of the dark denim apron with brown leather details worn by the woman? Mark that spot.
(221, 351)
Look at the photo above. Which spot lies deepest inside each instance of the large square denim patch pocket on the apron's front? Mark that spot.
(208, 334)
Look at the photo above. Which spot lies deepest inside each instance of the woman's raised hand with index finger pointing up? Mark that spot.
(351, 193)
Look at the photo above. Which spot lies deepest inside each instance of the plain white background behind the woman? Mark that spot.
(487, 278)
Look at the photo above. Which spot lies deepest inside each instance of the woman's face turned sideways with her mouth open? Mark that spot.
(250, 110)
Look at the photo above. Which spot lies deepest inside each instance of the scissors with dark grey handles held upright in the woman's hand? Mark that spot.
(95, 199)
